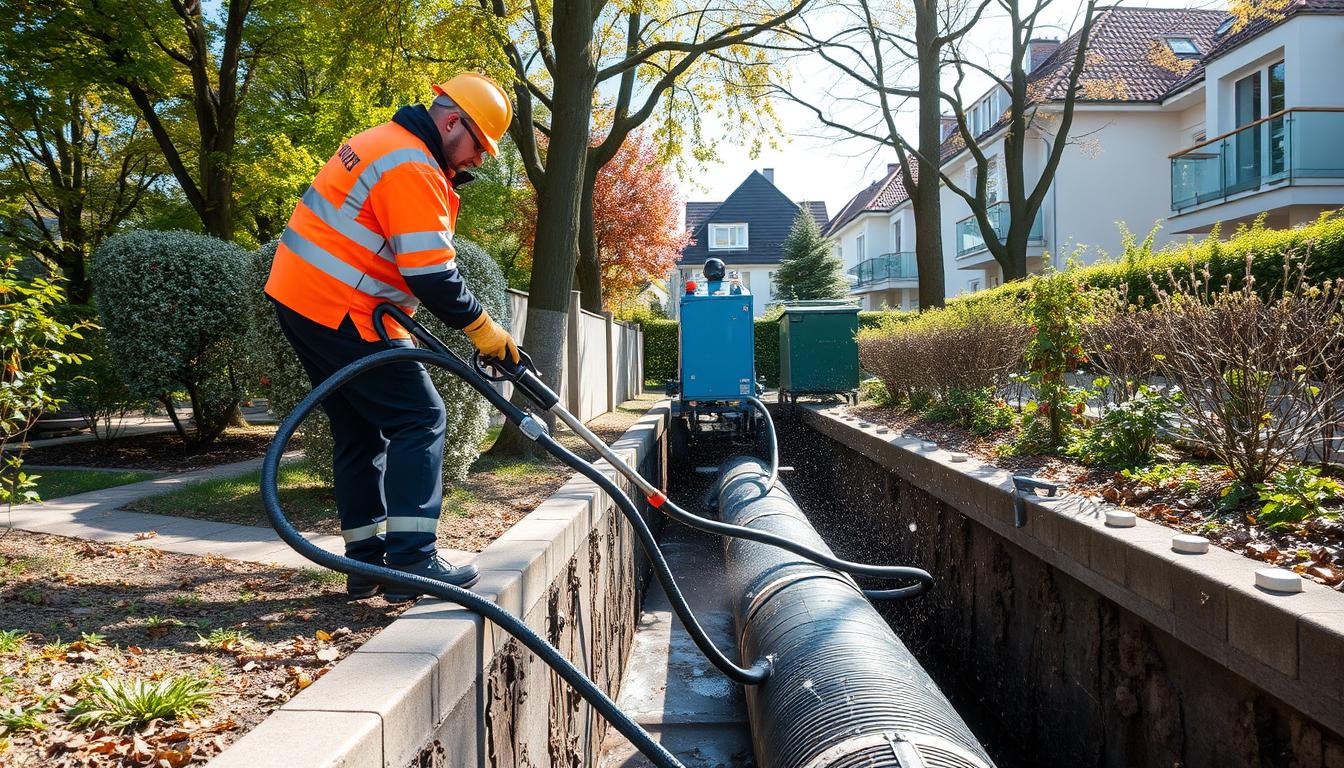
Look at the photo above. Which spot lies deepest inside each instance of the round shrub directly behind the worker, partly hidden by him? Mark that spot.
(468, 414)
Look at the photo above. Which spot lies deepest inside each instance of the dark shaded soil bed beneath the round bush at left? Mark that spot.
(162, 451)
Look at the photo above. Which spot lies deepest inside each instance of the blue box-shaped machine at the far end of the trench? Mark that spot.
(717, 365)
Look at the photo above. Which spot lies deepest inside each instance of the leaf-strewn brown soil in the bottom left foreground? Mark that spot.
(127, 611)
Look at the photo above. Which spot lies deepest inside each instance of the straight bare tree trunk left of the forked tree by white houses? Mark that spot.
(925, 197)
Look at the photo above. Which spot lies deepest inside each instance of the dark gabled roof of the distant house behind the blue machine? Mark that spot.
(768, 213)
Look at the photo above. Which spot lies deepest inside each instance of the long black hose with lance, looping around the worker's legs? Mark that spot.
(479, 379)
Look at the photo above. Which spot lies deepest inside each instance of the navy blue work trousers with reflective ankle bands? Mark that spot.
(388, 426)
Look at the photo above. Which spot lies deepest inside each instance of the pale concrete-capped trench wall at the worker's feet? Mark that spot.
(439, 688)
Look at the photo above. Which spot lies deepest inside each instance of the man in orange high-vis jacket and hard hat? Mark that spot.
(377, 225)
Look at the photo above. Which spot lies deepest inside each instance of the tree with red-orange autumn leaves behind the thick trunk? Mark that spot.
(636, 221)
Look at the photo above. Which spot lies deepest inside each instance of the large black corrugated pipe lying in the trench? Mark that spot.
(845, 691)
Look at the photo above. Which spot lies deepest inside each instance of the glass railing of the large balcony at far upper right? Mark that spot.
(1288, 147)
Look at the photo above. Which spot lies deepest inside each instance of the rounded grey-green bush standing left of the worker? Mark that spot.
(175, 310)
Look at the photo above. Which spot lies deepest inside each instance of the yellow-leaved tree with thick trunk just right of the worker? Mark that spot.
(564, 59)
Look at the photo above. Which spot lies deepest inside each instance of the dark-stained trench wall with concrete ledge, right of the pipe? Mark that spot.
(1069, 644)
